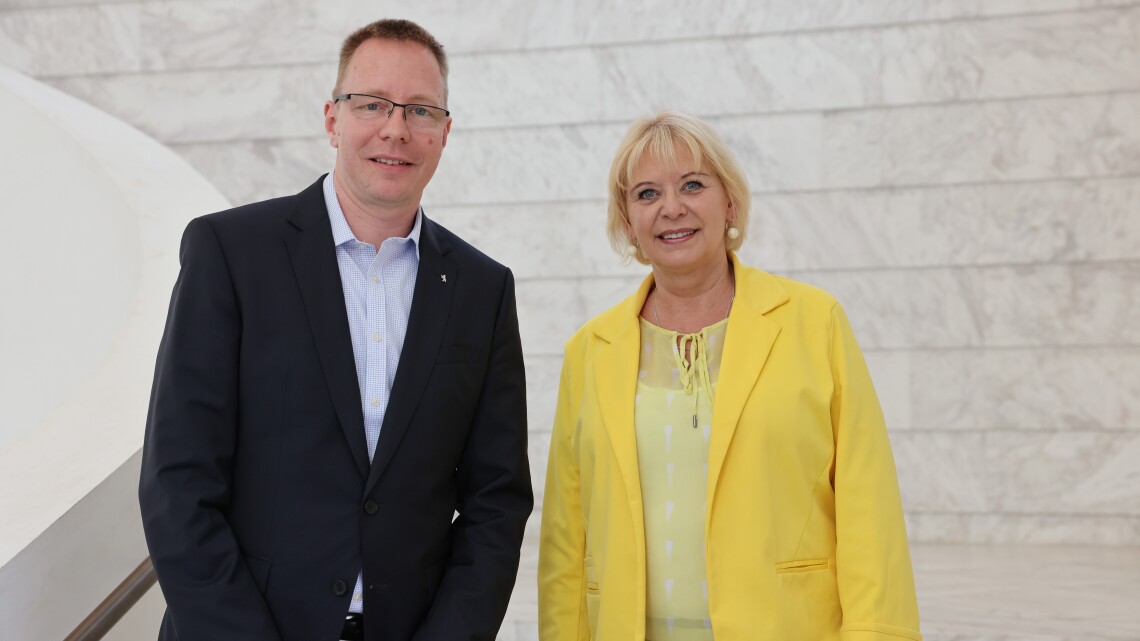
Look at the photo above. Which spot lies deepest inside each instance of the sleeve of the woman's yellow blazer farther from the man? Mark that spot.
(873, 558)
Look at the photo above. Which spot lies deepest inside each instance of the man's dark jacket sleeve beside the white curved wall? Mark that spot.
(189, 452)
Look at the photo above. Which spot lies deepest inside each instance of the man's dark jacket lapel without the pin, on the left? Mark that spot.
(319, 278)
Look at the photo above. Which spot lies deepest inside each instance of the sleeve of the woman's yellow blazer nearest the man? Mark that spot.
(563, 541)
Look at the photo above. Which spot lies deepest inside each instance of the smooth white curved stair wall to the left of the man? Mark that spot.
(93, 216)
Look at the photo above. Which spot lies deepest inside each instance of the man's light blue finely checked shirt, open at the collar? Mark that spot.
(378, 297)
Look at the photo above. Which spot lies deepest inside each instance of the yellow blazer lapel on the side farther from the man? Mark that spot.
(747, 345)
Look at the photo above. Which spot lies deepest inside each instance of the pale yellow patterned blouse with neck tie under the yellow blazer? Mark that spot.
(673, 420)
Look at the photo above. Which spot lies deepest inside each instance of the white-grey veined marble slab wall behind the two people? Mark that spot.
(965, 175)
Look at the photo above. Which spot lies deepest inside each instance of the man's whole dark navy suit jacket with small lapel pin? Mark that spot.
(258, 499)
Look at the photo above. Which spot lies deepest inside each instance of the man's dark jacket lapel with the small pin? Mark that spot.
(430, 306)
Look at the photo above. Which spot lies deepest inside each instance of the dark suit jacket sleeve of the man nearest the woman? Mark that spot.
(495, 497)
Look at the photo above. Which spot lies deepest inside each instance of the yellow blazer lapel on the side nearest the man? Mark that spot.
(616, 378)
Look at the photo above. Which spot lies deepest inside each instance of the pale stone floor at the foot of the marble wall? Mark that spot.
(974, 594)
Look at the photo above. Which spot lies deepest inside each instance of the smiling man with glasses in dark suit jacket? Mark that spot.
(337, 443)
